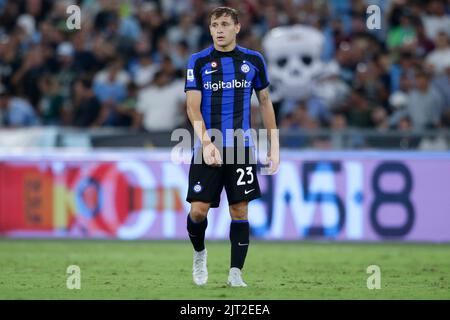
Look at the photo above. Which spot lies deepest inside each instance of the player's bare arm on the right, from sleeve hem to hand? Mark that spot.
(270, 124)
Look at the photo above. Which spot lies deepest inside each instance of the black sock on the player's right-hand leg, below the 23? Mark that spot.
(240, 238)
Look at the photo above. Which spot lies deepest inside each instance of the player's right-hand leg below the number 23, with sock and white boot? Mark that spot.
(240, 240)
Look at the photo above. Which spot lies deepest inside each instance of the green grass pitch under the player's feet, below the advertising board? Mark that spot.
(36, 269)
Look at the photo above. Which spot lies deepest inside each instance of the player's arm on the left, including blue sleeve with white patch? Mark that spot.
(211, 154)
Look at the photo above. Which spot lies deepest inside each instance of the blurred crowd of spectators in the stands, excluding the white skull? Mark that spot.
(125, 66)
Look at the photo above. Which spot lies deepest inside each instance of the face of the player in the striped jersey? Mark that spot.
(223, 31)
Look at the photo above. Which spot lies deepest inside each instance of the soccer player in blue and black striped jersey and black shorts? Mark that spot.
(219, 84)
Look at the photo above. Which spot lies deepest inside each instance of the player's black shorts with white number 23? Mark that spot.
(239, 178)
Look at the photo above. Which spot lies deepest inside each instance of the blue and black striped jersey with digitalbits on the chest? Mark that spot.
(226, 80)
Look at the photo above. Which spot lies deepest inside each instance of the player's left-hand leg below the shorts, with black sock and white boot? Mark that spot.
(196, 226)
